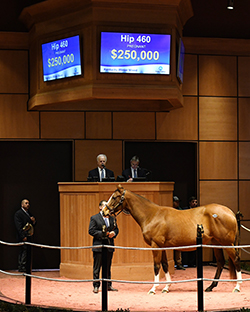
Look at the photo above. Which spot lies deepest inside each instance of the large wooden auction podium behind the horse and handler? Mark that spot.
(79, 201)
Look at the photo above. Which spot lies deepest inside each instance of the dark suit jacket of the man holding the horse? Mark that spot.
(95, 230)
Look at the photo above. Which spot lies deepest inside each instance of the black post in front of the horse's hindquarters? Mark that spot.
(199, 261)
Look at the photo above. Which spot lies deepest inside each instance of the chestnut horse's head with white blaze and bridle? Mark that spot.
(115, 202)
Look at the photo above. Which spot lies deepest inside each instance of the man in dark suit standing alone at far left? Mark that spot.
(21, 218)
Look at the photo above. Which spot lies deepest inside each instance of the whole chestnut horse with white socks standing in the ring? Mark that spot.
(169, 227)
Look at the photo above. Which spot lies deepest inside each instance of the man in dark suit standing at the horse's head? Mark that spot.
(100, 227)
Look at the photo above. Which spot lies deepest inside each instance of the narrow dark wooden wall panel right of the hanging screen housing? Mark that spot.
(190, 81)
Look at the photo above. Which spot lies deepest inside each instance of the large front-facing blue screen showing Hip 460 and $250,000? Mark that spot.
(132, 53)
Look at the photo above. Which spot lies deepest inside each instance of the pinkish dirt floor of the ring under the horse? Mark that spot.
(80, 297)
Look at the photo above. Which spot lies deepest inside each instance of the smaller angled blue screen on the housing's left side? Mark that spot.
(61, 58)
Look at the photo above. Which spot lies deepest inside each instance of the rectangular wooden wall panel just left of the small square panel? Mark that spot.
(62, 125)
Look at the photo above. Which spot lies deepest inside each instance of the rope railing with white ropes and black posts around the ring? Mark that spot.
(199, 246)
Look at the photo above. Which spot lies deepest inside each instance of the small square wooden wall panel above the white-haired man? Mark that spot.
(98, 125)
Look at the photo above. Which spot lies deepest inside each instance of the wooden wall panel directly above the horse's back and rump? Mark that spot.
(219, 192)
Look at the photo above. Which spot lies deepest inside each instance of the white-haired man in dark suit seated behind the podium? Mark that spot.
(97, 174)
